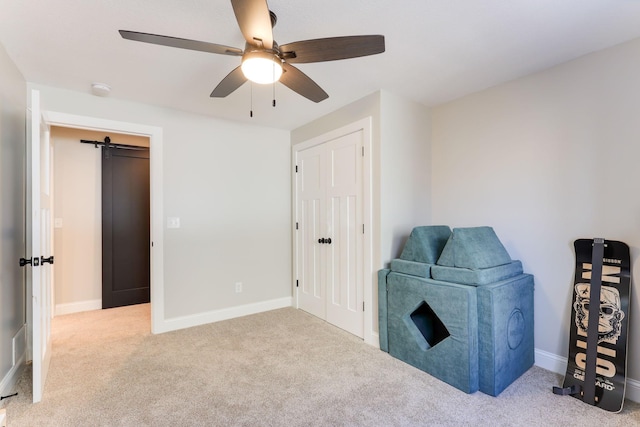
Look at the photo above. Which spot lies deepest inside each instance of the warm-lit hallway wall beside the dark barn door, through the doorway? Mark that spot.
(78, 206)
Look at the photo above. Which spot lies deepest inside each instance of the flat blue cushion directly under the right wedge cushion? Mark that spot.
(479, 277)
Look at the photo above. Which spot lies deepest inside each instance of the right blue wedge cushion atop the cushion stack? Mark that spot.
(474, 248)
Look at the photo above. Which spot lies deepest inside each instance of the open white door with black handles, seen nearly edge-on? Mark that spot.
(39, 245)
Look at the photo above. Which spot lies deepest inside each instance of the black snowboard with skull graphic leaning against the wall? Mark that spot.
(596, 369)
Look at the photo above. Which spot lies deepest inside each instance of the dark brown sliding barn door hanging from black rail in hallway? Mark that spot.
(125, 227)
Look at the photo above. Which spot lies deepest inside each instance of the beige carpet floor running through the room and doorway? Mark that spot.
(280, 368)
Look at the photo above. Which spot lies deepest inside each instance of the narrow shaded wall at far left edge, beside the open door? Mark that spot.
(13, 107)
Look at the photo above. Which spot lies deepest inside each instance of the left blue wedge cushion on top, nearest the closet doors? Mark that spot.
(425, 243)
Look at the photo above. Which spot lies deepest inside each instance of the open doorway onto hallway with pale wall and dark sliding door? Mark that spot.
(85, 270)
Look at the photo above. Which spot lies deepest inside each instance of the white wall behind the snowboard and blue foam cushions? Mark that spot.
(545, 160)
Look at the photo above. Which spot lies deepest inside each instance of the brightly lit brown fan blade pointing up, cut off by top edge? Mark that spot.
(254, 20)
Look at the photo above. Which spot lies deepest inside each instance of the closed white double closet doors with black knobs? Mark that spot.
(330, 237)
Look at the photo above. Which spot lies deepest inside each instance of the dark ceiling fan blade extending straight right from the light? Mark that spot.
(332, 48)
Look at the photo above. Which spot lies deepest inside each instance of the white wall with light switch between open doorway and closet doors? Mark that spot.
(229, 184)
